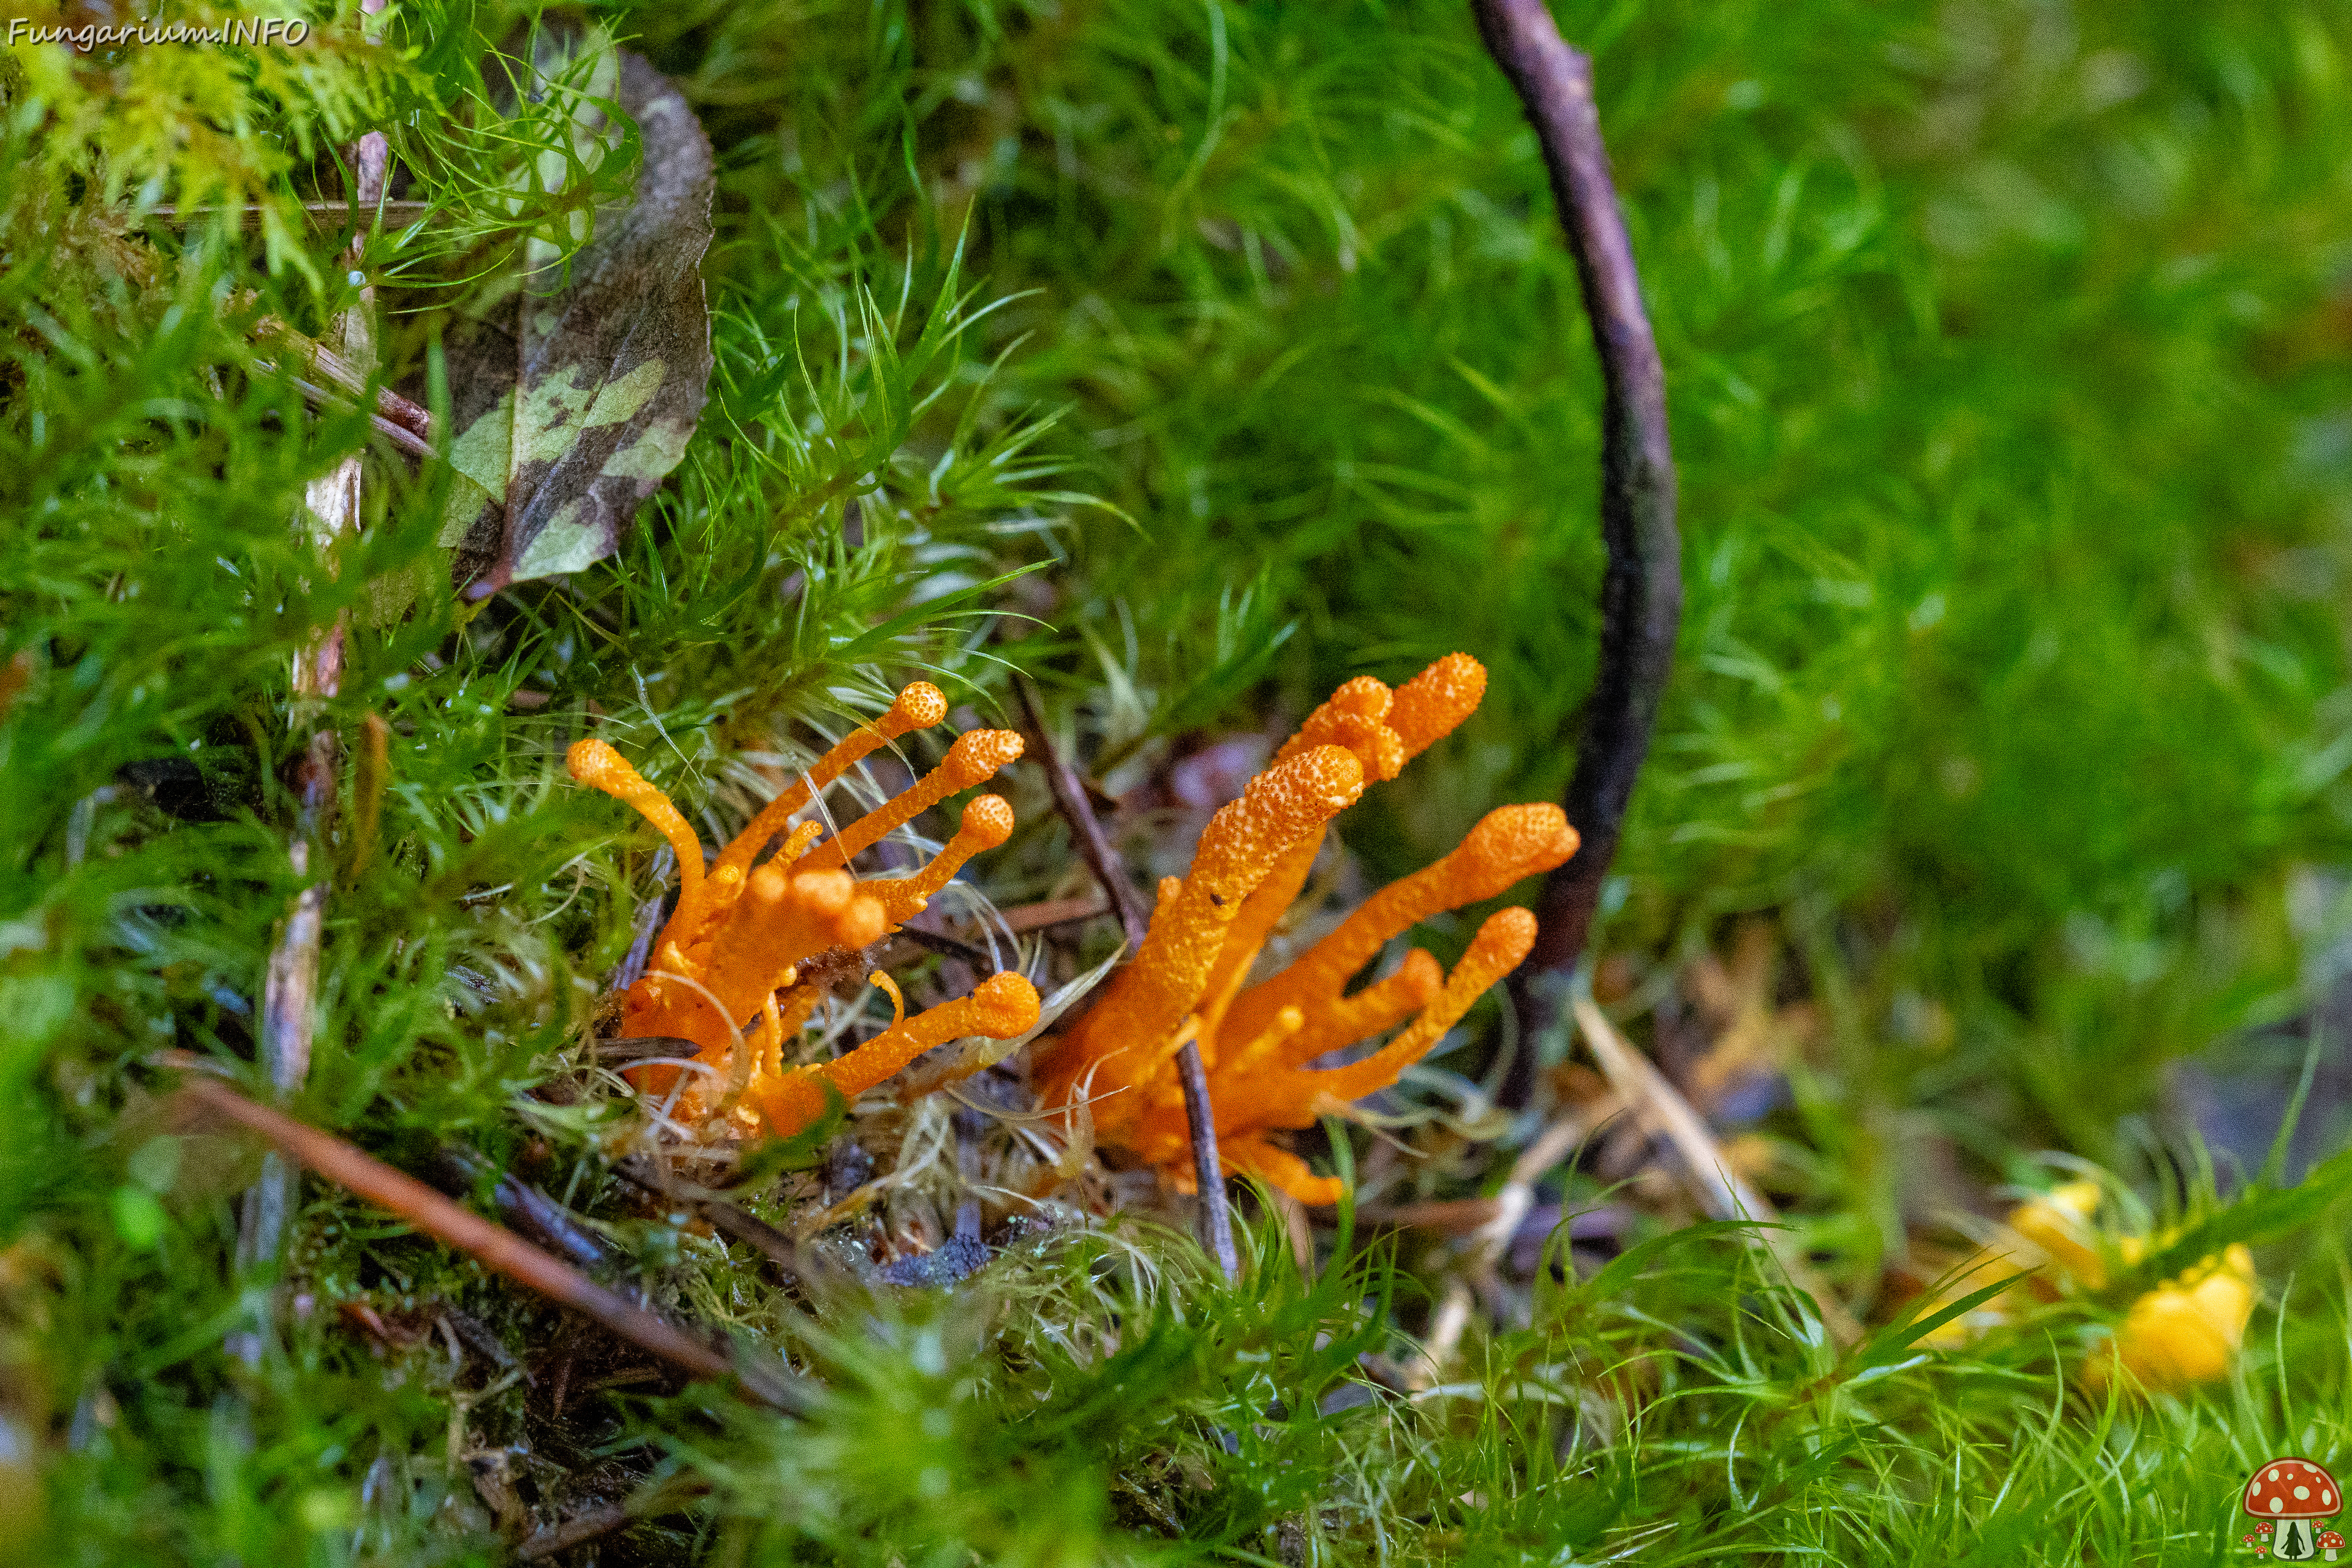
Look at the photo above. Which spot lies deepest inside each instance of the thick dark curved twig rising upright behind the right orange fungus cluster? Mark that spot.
(1643, 582)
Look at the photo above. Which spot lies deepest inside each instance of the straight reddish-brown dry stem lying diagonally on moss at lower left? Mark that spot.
(490, 1245)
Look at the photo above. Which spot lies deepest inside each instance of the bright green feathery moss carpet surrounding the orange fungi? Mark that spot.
(2005, 387)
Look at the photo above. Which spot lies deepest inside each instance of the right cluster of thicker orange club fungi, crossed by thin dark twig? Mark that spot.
(1187, 984)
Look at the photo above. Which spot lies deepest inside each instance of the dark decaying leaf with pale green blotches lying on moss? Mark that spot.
(577, 394)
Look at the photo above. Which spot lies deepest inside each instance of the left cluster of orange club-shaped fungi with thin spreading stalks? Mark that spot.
(726, 970)
